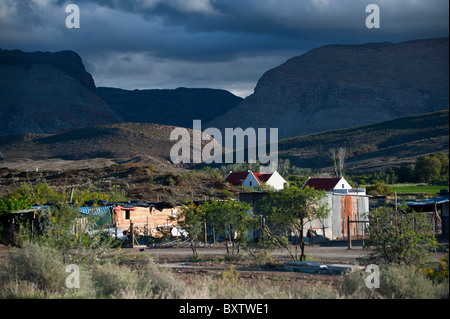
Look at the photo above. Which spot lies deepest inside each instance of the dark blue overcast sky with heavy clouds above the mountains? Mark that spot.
(227, 44)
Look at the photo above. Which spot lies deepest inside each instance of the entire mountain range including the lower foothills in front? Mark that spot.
(331, 96)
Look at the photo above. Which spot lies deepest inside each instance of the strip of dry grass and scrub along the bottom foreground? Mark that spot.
(37, 272)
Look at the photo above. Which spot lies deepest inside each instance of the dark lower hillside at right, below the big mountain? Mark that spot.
(374, 147)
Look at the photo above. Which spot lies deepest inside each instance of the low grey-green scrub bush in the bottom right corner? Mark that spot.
(396, 282)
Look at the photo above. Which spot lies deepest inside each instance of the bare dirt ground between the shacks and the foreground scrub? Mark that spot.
(213, 263)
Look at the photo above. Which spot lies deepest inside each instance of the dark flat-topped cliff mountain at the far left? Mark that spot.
(44, 92)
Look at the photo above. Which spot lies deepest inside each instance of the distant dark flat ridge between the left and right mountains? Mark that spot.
(177, 107)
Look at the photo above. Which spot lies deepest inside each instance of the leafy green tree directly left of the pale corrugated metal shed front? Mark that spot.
(292, 209)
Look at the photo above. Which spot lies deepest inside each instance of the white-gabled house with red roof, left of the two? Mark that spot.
(253, 179)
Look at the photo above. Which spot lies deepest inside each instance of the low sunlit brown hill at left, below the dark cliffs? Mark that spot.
(123, 142)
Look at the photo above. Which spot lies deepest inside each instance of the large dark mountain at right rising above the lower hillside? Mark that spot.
(341, 86)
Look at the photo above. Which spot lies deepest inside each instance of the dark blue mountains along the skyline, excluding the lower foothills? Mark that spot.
(331, 87)
